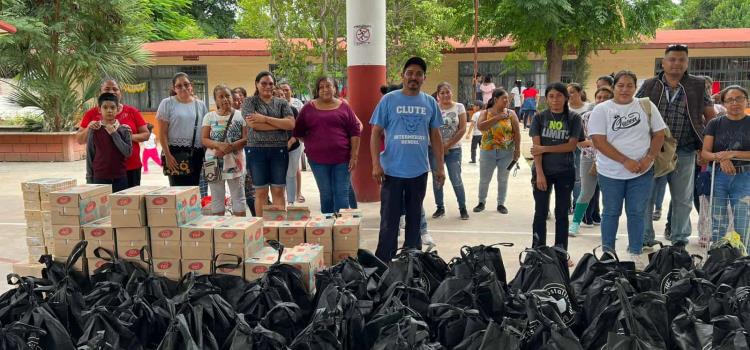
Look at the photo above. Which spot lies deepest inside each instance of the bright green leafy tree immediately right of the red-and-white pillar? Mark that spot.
(416, 28)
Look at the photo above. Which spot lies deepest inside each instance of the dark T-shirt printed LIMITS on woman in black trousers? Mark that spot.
(557, 129)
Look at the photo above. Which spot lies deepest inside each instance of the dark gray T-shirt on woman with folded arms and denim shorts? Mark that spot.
(278, 108)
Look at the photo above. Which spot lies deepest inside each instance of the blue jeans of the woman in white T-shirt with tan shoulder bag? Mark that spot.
(634, 192)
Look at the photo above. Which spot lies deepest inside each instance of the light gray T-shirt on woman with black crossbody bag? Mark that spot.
(181, 118)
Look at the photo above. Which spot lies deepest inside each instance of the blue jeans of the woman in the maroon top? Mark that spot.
(334, 181)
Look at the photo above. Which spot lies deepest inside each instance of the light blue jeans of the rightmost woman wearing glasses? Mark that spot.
(735, 191)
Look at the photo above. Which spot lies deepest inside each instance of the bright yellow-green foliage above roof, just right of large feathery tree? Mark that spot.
(169, 20)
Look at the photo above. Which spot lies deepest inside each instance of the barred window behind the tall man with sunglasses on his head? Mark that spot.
(724, 70)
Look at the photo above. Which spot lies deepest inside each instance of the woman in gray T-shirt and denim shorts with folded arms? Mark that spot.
(268, 119)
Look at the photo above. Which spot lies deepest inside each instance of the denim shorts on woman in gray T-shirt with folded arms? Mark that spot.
(267, 165)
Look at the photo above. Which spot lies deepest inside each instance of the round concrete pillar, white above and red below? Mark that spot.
(365, 32)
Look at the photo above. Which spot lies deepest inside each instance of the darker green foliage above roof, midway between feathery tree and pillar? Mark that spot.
(215, 17)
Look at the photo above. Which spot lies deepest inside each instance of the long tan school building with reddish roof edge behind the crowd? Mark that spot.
(723, 54)
